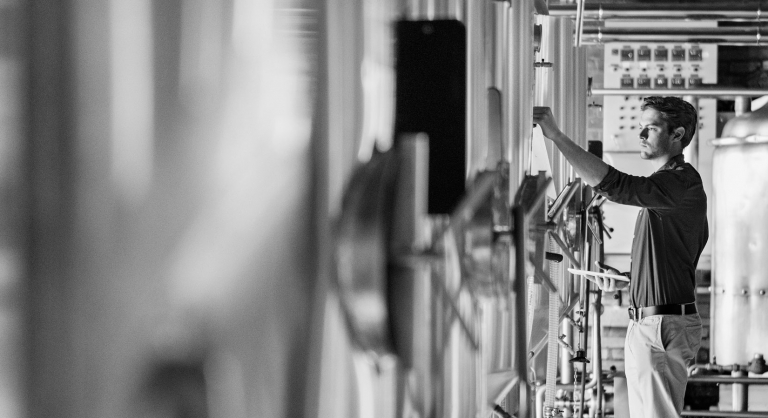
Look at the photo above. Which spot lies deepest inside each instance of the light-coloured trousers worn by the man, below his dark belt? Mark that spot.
(657, 352)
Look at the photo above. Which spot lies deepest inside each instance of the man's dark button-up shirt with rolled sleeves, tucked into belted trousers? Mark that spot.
(670, 232)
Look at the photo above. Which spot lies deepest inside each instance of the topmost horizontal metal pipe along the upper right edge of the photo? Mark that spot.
(733, 12)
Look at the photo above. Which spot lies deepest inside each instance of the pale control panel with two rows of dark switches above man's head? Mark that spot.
(659, 66)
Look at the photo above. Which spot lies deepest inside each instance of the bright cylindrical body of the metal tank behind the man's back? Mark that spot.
(740, 236)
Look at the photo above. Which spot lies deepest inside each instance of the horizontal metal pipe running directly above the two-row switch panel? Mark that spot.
(720, 36)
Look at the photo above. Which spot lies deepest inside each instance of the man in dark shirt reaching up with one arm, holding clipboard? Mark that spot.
(664, 332)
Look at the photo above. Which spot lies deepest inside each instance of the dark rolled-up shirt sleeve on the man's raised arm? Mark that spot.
(662, 190)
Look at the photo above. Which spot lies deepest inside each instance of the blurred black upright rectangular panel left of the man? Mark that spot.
(431, 98)
